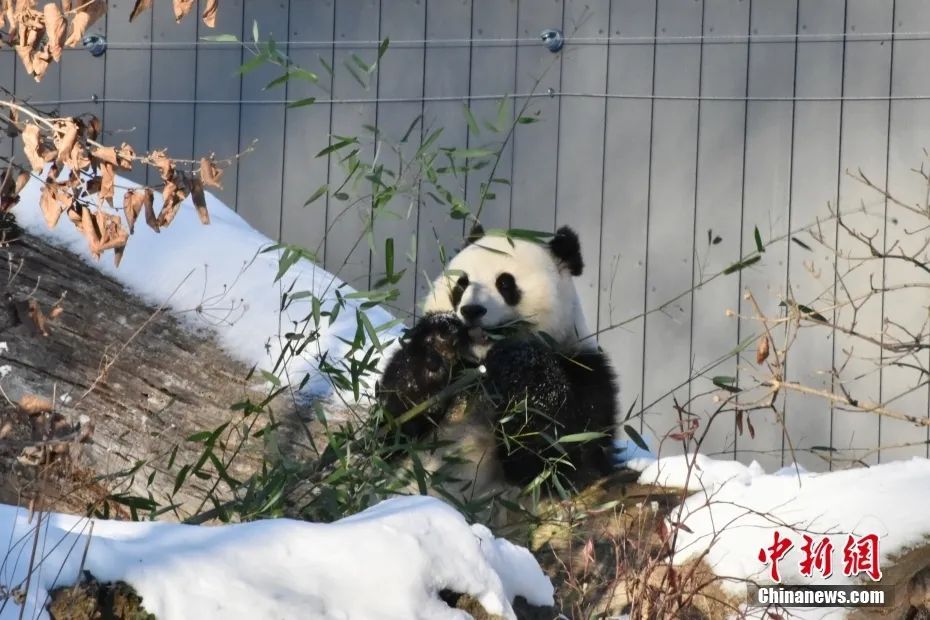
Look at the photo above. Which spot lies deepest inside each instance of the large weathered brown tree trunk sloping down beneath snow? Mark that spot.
(126, 384)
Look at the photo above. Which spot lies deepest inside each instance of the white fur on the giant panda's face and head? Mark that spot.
(548, 300)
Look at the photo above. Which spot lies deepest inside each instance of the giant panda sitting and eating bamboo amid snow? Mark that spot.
(506, 309)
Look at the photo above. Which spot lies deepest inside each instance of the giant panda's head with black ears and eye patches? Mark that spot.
(496, 281)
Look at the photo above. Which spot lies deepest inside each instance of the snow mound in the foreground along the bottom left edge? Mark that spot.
(388, 562)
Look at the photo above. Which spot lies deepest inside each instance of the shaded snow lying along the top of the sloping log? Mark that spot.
(219, 269)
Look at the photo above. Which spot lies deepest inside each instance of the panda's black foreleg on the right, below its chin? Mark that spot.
(542, 396)
